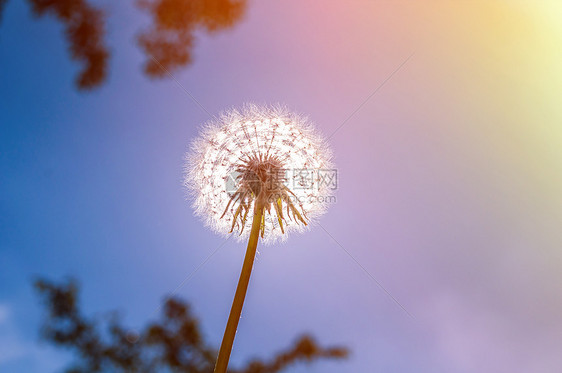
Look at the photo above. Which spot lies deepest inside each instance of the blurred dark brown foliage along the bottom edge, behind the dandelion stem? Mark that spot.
(172, 344)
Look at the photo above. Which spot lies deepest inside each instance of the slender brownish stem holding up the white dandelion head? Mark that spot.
(238, 302)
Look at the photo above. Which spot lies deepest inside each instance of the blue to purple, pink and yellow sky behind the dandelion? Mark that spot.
(449, 157)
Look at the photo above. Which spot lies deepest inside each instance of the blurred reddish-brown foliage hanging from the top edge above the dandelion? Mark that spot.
(168, 43)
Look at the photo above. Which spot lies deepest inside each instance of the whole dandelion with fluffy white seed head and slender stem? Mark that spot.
(260, 164)
